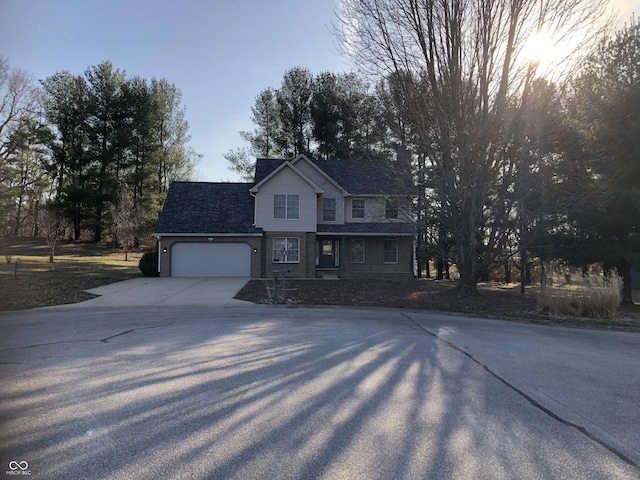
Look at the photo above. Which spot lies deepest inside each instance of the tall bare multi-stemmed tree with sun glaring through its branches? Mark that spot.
(465, 71)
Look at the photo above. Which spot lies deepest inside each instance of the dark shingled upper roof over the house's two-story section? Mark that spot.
(358, 177)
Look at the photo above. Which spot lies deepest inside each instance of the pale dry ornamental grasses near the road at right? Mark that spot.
(594, 297)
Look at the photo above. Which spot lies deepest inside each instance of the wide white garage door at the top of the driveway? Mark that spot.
(211, 260)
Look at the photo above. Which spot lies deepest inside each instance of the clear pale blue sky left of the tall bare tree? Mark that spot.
(219, 53)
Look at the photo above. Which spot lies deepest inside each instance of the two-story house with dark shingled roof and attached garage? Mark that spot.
(304, 218)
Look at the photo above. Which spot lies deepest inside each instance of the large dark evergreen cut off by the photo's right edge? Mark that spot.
(606, 110)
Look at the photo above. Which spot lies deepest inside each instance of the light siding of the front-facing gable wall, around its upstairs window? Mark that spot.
(286, 182)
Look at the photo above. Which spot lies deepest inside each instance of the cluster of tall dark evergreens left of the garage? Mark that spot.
(113, 133)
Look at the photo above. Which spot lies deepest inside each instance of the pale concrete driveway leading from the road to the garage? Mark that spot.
(149, 291)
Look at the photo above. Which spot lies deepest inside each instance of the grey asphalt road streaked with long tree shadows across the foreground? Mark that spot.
(297, 393)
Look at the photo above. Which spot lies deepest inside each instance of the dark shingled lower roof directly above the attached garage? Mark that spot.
(203, 208)
